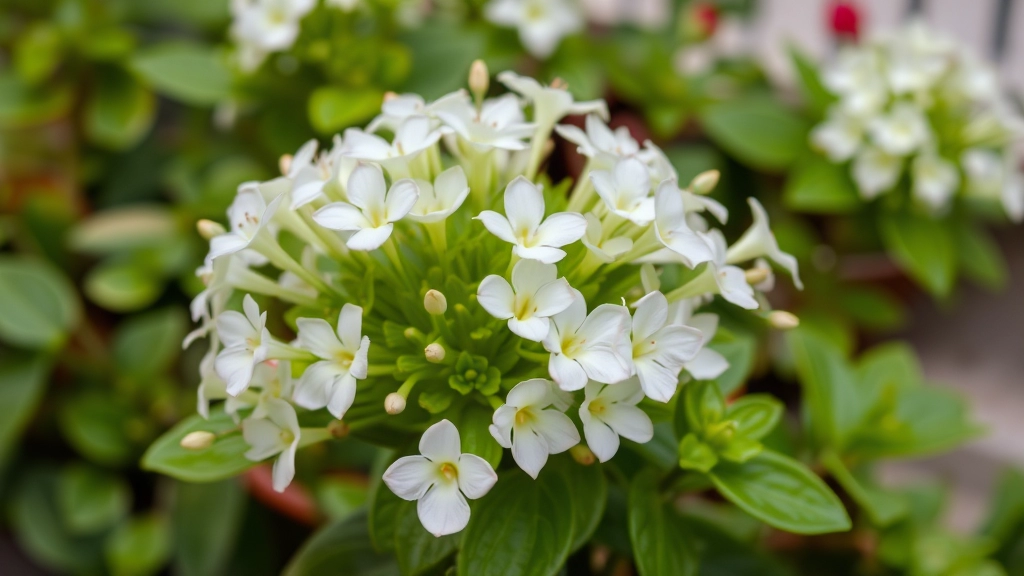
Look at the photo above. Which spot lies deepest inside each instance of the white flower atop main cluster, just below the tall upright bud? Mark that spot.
(498, 124)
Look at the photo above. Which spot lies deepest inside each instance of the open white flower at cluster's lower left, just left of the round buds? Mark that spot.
(331, 382)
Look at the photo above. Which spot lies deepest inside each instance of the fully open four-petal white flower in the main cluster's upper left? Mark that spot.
(374, 209)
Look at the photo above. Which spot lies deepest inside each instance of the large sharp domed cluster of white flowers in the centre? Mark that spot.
(437, 271)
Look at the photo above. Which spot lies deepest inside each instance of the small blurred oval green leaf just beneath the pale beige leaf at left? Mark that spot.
(122, 286)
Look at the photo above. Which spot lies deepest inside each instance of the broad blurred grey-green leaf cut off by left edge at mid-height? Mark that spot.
(39, 308)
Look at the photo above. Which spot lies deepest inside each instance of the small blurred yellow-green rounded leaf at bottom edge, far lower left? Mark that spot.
(141, 547)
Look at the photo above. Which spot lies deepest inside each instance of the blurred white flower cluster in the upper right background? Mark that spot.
(919, 104)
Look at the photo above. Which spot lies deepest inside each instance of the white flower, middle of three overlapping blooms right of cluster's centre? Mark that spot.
(594, 347)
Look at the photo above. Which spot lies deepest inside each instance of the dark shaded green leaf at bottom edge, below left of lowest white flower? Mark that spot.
(342, 548)
